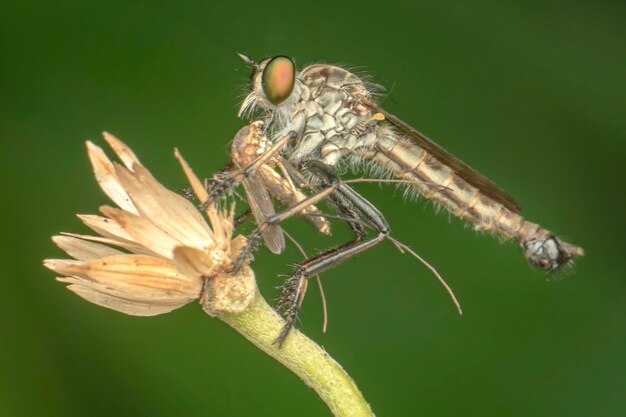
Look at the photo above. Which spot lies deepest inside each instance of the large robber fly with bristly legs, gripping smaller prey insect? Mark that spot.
(324, 116)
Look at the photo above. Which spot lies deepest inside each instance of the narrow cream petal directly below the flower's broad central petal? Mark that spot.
(143, 231)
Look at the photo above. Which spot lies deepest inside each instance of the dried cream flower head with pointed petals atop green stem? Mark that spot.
(155, 252)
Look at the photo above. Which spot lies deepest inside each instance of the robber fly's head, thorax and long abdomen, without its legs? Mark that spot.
(332, 117)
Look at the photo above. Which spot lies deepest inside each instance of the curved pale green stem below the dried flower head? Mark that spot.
(260, 324)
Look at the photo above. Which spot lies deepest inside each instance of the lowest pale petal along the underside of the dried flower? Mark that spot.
(93, 294)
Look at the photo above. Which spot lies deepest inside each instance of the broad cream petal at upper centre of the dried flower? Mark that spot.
(168, 210)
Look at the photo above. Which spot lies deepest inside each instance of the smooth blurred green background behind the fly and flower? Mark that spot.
(530, 93)
